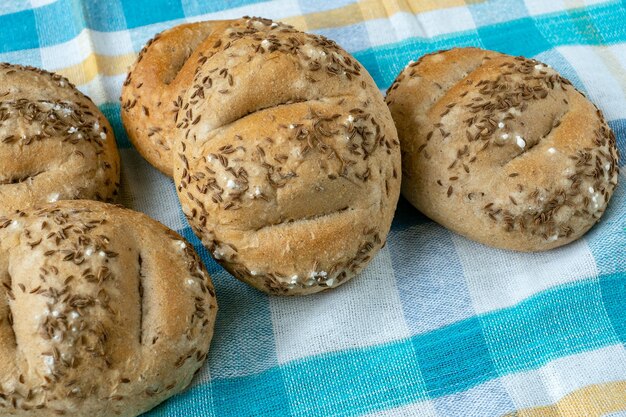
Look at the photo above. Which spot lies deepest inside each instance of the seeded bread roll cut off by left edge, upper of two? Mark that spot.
(55, 144)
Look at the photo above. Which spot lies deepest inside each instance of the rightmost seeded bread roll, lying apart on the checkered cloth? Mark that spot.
(502, 149)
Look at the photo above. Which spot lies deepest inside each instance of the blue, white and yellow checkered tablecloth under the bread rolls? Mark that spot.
(437, 325)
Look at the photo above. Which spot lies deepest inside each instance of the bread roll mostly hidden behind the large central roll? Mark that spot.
(149, 113)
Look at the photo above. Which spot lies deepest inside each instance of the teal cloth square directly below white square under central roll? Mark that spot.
(355, 381)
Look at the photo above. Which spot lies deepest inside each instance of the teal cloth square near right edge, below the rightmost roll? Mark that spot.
(556, 323)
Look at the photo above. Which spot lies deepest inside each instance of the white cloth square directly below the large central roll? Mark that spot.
(363, 312)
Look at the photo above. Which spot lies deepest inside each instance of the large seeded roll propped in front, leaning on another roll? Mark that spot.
(287, 161)
